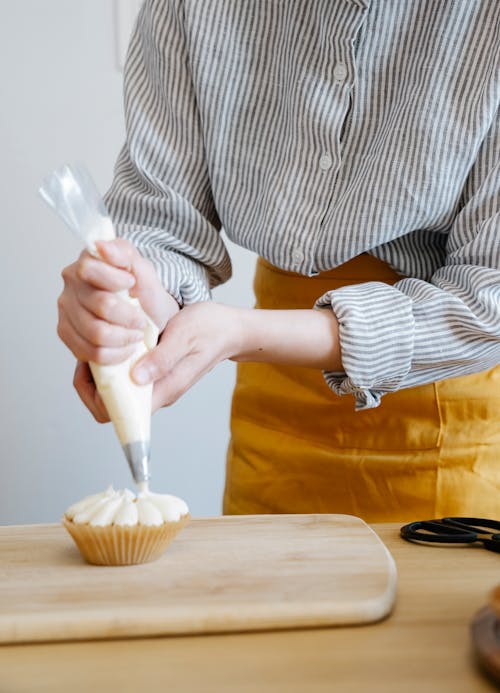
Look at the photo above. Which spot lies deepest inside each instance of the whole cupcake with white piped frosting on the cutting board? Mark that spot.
(120, 528)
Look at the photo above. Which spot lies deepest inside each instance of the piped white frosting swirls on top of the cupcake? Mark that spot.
(126, 509)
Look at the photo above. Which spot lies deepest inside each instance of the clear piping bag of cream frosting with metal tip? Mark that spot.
(72, 193)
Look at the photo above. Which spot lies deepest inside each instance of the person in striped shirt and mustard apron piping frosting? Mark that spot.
(354, 146)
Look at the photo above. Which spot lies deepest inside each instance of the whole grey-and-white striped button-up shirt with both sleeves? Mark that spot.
(313, 131)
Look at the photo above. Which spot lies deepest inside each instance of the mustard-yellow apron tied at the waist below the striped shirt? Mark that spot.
(296, 447)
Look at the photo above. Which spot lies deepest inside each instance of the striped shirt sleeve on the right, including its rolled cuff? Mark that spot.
(416, 331)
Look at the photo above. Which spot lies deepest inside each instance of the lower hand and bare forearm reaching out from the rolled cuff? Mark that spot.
(203, 334)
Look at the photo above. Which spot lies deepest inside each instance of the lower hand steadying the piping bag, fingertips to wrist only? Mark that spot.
(193, 342)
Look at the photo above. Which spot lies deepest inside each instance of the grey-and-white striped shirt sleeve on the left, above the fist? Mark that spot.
(161, 198)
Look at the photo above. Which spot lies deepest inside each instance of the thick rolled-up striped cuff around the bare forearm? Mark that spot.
(376, 330)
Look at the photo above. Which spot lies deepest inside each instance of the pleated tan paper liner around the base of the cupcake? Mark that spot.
(122, 545)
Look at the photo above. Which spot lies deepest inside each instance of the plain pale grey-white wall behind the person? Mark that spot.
(60, 101)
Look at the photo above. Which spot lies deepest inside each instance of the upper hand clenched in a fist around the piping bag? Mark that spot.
(98, 325)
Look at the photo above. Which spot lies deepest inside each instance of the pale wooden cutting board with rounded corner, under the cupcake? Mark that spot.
(235, 573)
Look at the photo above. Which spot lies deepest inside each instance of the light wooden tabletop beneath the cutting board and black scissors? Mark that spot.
(423, 646)
